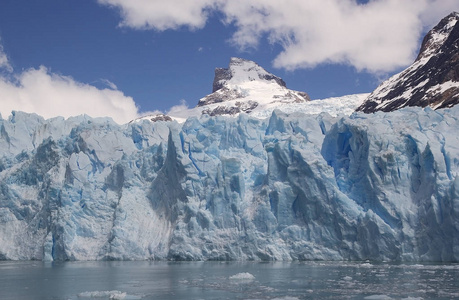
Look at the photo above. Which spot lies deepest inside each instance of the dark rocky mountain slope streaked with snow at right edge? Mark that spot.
(432, 80)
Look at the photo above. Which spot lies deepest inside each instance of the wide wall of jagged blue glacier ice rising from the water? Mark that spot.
(291, 186)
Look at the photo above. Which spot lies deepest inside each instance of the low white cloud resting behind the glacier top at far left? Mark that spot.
(50, 95)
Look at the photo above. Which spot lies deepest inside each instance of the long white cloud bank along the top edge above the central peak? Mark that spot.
(379, 36)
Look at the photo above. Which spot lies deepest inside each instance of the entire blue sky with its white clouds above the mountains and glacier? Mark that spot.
(127, 58)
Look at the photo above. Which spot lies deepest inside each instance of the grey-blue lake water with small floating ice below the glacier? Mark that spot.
(227, 280)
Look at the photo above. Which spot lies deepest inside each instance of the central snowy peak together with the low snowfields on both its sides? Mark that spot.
(246, 87)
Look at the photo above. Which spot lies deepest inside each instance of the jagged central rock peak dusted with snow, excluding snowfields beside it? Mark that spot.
(245, 86)
